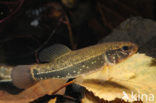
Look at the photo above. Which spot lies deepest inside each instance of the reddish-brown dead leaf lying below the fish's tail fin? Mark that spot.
(38, 90)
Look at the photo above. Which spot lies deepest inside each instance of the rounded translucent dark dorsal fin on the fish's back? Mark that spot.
(52, 52)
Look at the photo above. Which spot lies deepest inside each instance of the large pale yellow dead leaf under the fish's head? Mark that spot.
(133, 79)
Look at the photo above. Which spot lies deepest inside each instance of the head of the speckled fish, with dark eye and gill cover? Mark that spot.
(119, 51)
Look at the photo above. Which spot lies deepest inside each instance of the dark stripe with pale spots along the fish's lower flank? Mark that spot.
(72, 71)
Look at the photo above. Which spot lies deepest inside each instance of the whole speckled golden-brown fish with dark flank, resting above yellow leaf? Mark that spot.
(61, 62)
